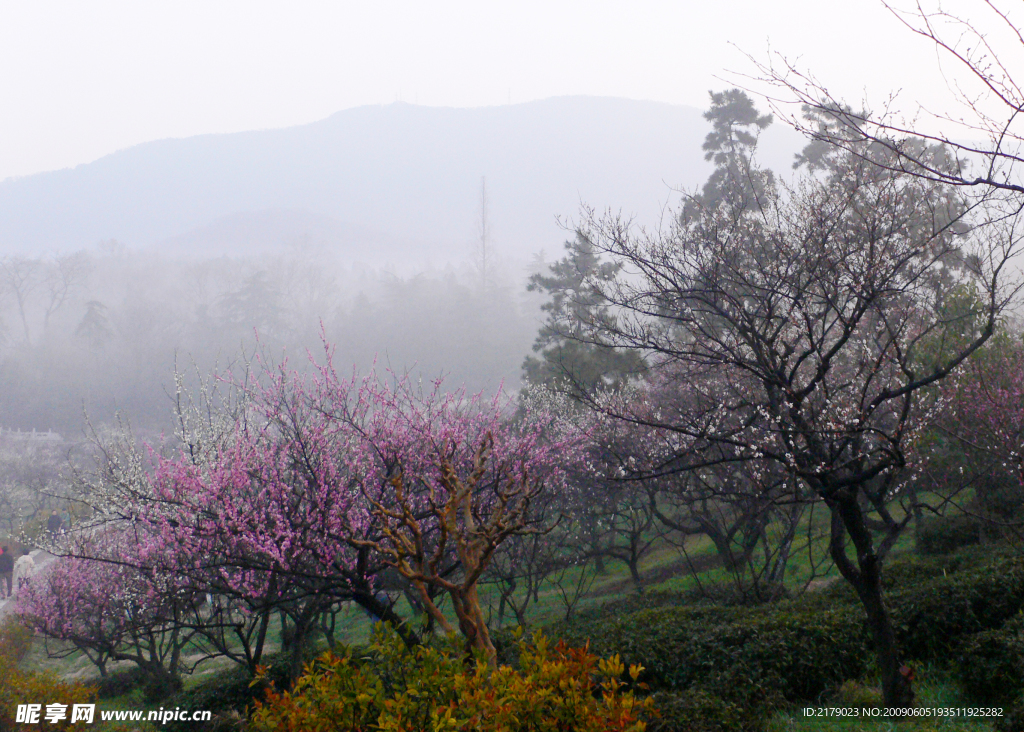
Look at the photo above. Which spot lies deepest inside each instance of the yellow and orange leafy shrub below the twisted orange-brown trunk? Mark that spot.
(396, 690)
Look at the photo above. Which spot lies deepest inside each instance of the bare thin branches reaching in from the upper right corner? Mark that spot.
(993, 101)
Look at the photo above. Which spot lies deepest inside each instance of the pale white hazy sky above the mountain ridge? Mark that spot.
(79, 80)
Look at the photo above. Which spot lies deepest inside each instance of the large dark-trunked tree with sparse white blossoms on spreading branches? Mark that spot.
(799, 337)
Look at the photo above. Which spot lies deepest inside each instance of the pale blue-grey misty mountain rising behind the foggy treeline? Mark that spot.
(377, 184)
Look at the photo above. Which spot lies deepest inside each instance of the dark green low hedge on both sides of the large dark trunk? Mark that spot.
(727, 666)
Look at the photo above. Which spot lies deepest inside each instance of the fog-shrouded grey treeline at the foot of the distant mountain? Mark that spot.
(100, 332)
